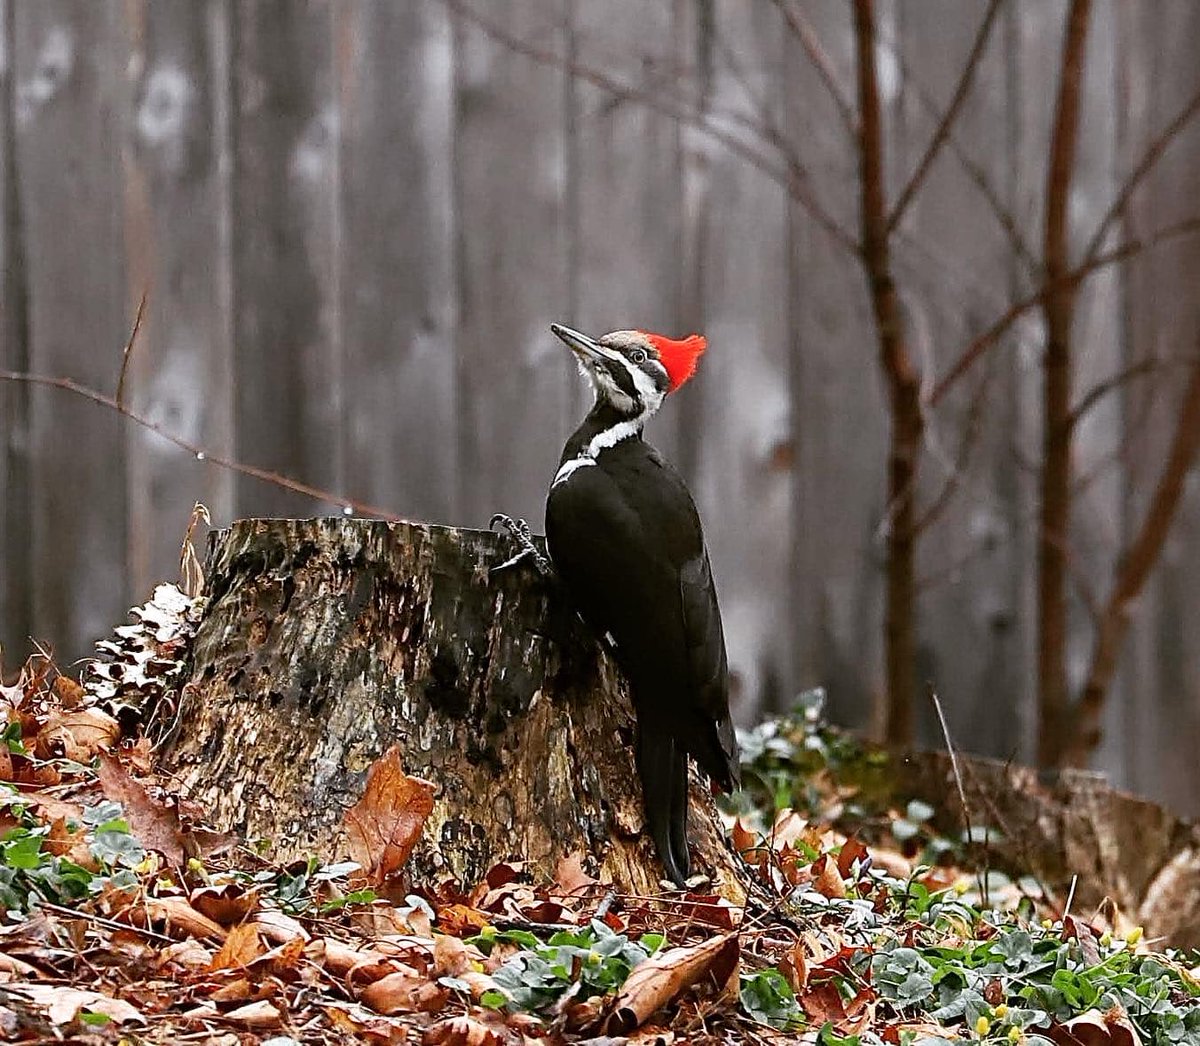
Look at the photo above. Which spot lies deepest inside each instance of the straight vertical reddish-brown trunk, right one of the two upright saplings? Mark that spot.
(1058, 309)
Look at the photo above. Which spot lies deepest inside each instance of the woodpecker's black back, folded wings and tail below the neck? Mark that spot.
(626, 538)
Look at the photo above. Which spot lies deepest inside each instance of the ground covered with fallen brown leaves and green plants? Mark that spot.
(125, 921)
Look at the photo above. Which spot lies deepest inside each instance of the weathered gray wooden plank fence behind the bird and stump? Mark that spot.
(355, 221)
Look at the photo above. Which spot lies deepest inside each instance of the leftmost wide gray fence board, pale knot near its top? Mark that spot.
(69, 80)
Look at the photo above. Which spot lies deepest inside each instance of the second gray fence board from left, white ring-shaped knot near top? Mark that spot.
(178, 239)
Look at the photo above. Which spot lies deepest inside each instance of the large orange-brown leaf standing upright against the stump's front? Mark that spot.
(383, 827)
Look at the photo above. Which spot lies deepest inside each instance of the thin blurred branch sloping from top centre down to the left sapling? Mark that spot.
(793, 176)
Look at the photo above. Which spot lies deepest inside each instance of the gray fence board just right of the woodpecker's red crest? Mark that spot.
(743, 476)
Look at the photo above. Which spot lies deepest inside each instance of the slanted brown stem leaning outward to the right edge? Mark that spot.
(1136, 569)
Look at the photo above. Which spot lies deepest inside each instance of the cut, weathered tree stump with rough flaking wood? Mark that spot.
(327, 642)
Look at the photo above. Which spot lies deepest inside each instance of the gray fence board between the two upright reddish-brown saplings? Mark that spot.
(957, 278)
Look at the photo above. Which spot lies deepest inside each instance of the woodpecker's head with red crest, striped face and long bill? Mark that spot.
(634, 371)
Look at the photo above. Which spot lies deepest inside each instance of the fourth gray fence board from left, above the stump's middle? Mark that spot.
(397, 243)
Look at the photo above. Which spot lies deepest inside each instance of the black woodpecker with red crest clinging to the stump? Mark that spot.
(626, 538)
